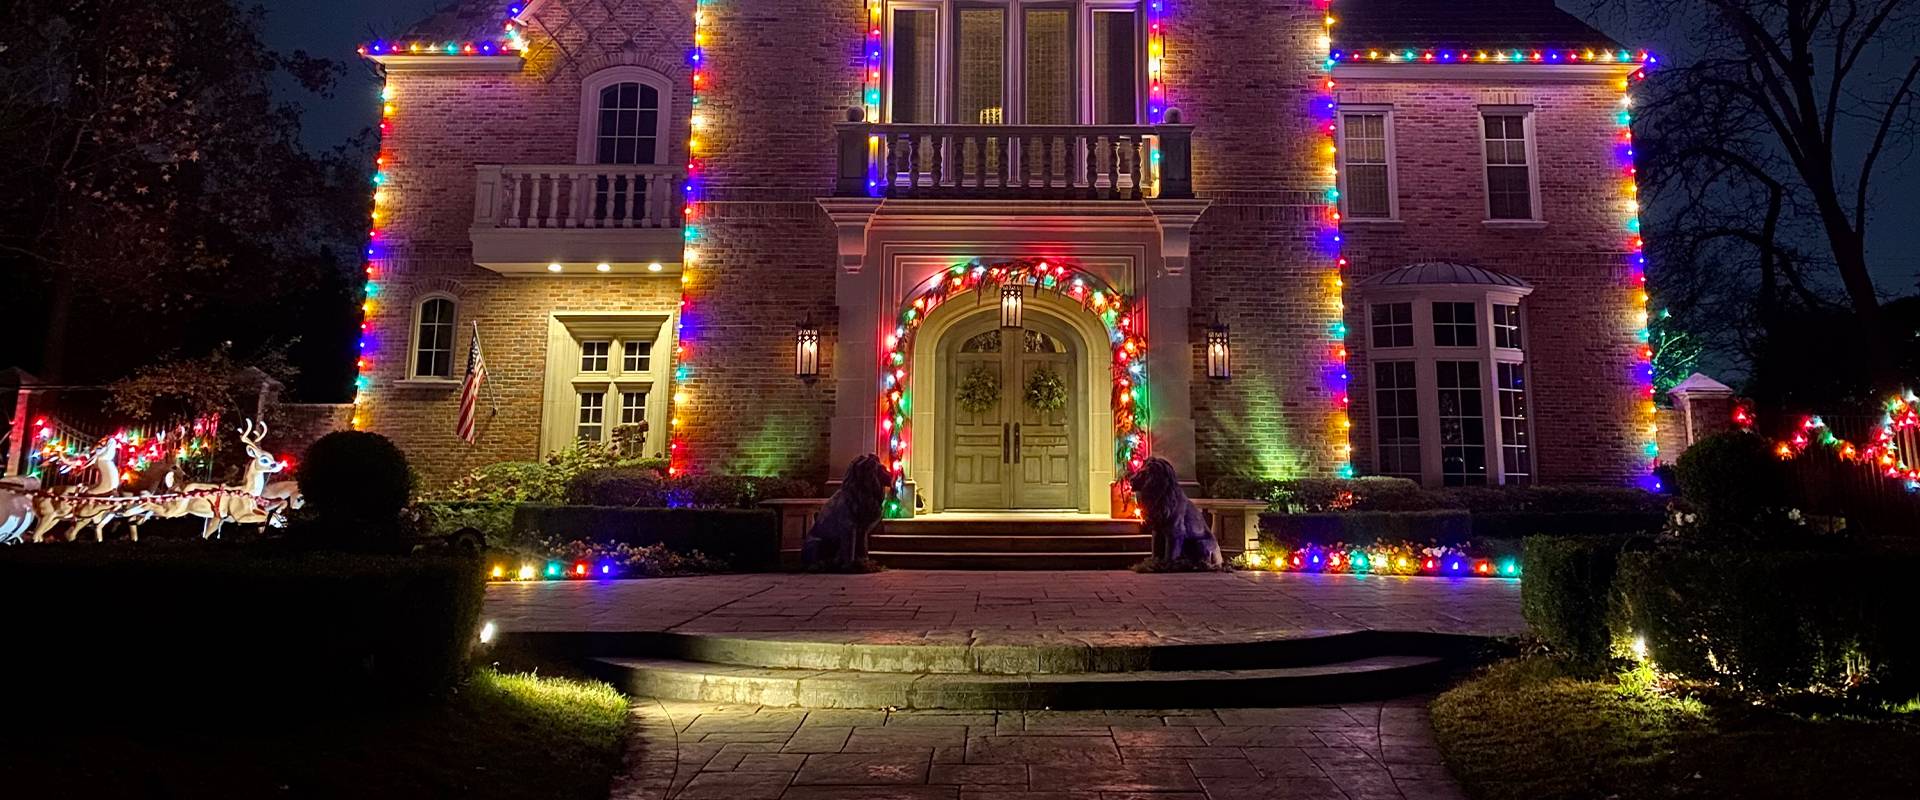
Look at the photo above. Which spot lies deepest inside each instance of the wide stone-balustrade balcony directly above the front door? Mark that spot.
(1015, 162)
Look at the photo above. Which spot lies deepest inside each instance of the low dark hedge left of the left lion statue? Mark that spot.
(748, 540)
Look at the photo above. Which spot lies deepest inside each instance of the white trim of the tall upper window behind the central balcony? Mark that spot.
(1013, 66)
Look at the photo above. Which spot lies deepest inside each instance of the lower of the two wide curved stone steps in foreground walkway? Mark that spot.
(1345, 682)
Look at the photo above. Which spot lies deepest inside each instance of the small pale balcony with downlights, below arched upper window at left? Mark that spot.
(627, 218)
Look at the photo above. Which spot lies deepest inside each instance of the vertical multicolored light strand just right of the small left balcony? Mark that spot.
(679, 459)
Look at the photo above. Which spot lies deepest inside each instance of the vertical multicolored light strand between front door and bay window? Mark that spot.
(1326, 114)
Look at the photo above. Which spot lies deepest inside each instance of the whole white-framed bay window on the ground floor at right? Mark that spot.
(1449, 375)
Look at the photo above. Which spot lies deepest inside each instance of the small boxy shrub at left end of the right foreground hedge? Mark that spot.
(1566, 594)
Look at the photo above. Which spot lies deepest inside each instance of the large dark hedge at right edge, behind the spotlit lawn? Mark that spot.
(1777, 621)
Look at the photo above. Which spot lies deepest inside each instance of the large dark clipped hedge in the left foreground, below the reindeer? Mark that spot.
(222, 628)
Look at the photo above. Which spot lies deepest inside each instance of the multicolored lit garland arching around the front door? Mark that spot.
(1115, 310)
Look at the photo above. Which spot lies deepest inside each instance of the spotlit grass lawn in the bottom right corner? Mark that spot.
(1527, 730)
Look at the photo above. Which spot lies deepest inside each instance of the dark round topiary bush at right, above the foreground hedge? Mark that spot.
(1733, 481)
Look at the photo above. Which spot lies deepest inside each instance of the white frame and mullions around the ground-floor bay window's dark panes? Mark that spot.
(1426, 358)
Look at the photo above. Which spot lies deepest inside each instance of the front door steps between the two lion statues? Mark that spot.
(1011, 544)
